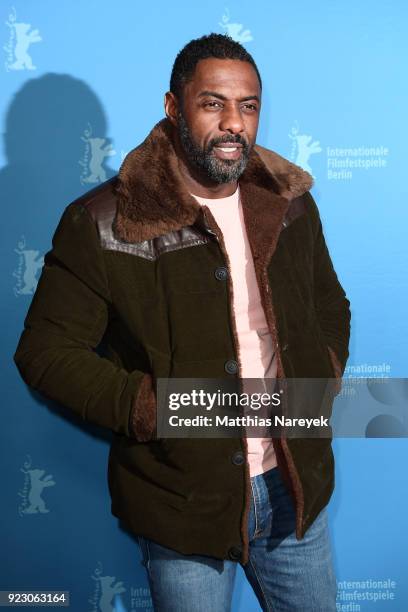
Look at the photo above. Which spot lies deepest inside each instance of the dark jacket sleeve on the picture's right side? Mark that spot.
(332, 305)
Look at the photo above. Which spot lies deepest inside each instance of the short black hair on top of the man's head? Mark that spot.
(220, 46)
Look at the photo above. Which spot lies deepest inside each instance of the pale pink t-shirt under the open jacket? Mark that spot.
(255, 342)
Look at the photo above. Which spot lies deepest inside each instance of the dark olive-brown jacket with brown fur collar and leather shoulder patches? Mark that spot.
(133, 264)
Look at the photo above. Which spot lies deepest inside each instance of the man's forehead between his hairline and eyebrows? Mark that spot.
(224, 76)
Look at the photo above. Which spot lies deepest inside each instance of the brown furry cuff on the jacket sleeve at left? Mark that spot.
(143, 417)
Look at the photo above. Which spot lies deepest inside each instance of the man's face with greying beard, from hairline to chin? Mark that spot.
(218, 117)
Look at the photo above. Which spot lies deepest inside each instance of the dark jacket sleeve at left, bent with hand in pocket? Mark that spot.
(66, 321)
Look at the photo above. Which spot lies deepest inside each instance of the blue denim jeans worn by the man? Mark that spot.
(286, 574)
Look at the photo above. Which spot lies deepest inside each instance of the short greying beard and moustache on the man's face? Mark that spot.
(218, 170)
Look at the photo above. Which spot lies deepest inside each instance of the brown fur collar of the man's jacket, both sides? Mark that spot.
(152, 198)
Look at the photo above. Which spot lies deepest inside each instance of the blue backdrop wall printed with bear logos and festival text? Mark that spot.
(81, 84)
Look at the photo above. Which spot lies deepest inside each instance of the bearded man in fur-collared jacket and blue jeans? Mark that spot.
(203, 258)
